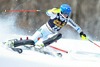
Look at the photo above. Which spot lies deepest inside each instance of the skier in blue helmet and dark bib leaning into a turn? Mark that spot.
(59, 17)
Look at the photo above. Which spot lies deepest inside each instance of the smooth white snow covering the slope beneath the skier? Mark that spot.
(80, 54)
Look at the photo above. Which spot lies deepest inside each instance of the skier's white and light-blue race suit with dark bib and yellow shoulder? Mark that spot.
(54, 24)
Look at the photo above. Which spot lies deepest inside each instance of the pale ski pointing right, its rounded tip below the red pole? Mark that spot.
(44, 50)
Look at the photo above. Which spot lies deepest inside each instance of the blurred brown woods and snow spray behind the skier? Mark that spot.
(86, 13)
